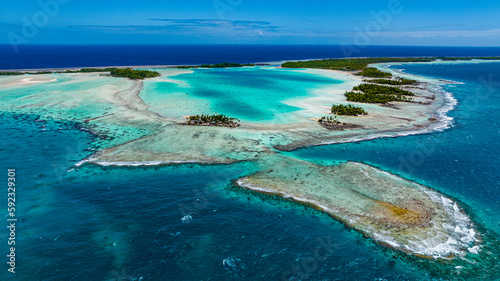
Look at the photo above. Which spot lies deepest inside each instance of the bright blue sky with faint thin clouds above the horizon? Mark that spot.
(387, 22)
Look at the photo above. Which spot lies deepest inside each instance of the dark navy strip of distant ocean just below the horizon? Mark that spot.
(47, 56)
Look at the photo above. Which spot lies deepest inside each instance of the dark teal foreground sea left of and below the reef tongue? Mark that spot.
(92, 222)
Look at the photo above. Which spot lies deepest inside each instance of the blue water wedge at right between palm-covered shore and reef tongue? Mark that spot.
(461, 161)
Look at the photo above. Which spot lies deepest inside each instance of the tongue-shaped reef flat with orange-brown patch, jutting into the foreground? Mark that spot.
(391, 210)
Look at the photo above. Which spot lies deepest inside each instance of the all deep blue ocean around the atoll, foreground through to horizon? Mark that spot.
(188, 223)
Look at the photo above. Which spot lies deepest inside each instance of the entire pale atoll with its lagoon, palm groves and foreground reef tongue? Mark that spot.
(176, 118)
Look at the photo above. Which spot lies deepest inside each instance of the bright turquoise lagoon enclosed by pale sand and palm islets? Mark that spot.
(251, 94)
